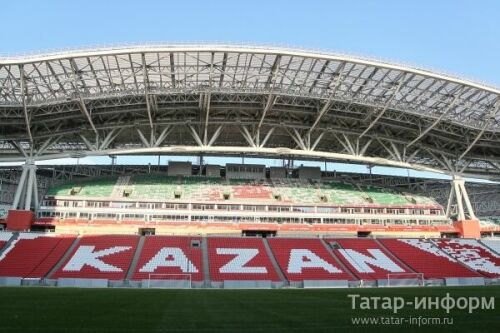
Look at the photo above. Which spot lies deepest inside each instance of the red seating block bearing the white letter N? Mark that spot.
(367, 259)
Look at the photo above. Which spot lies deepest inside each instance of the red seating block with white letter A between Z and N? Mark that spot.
(306, 259)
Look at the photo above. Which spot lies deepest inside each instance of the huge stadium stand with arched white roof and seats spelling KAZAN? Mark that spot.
(251, 200)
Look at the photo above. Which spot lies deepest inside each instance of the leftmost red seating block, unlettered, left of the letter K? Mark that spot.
(32, 255)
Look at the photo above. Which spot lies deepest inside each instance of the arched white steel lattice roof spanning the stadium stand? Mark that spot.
(223, 99)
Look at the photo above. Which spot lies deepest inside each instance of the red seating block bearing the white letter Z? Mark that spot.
(239, 259)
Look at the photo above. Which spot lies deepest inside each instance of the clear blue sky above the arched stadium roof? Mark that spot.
(458, 37)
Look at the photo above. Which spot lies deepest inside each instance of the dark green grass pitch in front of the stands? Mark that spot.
(39, 309)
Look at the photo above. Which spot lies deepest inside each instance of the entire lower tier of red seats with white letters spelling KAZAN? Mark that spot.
(35, 255)
